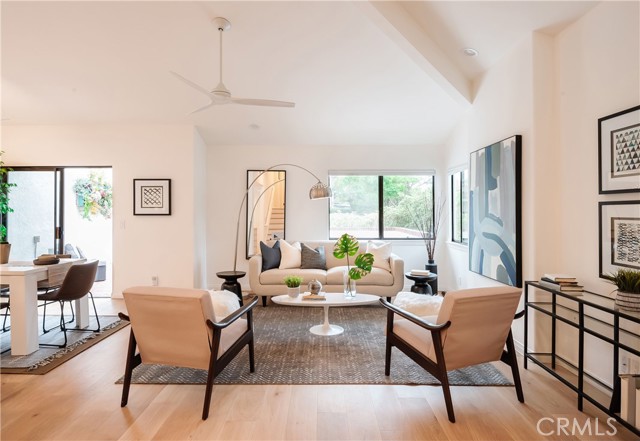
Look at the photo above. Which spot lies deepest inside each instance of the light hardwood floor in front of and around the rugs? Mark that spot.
(79, 401)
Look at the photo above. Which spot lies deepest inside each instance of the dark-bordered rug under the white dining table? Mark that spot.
(45, 359)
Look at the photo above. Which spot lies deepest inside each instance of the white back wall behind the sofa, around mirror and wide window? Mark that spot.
(305, 219)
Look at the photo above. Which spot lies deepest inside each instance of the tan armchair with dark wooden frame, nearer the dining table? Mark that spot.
(177, 327)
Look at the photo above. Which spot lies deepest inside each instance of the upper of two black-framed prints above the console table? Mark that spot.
(619, 152)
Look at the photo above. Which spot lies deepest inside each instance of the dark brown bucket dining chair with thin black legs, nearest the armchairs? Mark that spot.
(77, 283)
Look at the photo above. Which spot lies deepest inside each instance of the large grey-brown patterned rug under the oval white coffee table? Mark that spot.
(287, 353)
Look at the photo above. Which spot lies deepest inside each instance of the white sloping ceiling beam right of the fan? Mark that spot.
(394, 20)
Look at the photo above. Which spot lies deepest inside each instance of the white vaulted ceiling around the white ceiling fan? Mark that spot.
(360, 73)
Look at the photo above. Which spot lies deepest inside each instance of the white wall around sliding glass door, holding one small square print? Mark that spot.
(143, 246)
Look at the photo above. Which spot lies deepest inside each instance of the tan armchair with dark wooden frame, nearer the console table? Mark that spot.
(472, 327)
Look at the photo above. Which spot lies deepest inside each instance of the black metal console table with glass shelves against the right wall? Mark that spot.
(591, 314)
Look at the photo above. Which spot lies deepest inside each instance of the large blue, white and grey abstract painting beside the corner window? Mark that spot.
(495, 236)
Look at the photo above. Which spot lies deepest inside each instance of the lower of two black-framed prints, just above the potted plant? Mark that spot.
(619, 223)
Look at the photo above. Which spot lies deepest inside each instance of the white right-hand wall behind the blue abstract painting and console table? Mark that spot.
(552, 91)
